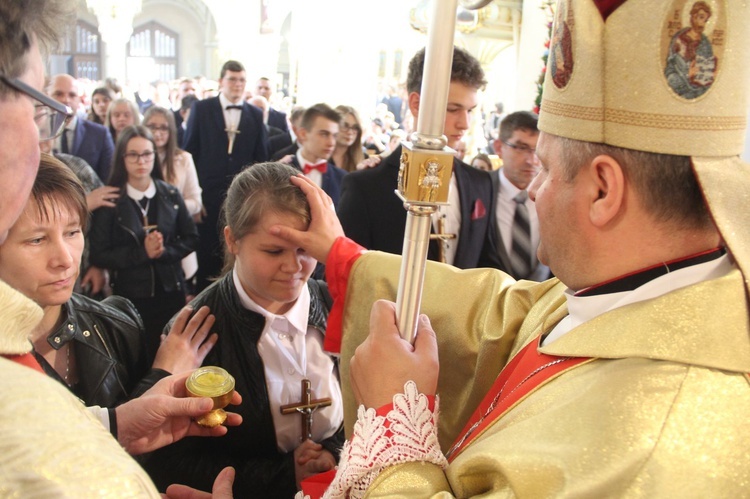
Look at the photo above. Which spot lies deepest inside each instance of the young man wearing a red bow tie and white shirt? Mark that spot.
(317, 138)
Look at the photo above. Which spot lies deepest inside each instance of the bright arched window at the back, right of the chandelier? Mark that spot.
(152, 52)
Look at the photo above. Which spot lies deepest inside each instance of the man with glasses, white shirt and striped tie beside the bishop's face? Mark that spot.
(516, 145)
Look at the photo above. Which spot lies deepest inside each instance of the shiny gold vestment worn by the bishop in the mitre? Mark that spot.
(661, 411)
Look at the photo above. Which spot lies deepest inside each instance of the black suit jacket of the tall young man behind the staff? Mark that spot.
(374, 216)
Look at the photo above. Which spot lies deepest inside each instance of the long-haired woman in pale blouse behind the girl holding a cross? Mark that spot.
(178, 169)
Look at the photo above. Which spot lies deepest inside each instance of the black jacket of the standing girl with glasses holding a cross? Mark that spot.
(117, 236)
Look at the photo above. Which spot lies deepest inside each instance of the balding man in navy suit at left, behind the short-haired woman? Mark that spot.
(85, 139)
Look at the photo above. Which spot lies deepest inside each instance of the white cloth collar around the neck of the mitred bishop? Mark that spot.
(585, 308)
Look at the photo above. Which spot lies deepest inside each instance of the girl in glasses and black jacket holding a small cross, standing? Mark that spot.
(143, 239)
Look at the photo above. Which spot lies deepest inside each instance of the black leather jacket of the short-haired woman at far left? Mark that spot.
(109, 348)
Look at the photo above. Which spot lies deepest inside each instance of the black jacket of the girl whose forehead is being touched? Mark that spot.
(262, 471)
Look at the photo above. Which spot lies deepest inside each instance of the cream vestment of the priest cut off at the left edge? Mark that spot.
(50, 445)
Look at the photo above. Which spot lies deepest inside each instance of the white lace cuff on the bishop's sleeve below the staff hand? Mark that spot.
(413, 429)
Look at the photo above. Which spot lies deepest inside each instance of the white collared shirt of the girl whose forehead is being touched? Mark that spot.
(292, 351)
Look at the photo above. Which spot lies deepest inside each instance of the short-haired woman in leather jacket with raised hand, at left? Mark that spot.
(96, 349)
